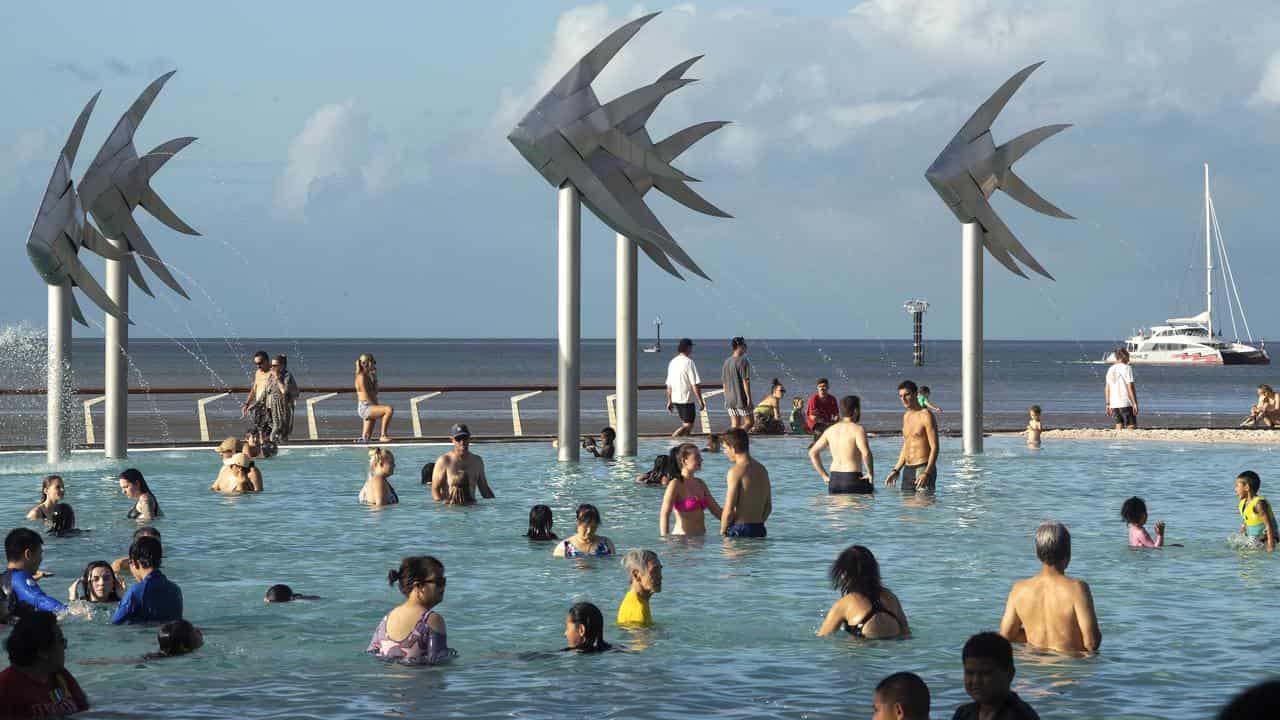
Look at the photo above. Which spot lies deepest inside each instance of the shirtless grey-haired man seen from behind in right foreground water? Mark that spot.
(1052, 610)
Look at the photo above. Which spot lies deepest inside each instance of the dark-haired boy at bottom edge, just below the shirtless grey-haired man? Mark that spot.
(989, 673)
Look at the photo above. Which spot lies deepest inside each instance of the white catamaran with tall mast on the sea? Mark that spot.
(1192, 341)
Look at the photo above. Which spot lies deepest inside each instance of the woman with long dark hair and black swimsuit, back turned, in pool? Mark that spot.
(867, 609)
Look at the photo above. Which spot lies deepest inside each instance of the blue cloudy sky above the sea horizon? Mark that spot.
(353, 176)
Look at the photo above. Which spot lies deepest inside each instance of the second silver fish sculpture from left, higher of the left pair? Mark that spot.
(118, 181)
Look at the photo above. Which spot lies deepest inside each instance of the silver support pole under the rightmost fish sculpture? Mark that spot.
(971, 336)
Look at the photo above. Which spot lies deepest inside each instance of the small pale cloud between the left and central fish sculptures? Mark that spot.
(337, 156)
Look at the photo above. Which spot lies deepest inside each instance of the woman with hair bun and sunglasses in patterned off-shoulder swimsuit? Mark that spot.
(414, 634)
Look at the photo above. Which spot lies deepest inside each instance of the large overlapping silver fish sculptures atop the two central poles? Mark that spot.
(568, 129)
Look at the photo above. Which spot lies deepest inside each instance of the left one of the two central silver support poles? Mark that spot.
(570, 322)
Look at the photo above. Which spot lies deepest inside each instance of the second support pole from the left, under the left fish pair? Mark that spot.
(116, 370)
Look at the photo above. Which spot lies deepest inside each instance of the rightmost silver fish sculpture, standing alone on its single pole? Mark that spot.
(971, 168)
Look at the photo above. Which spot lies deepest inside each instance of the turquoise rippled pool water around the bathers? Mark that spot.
(1183, 628)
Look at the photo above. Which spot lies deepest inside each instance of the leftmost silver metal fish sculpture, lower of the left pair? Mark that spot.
(62, 229)
